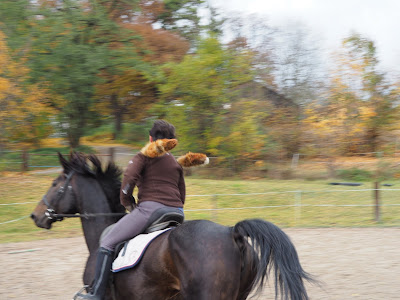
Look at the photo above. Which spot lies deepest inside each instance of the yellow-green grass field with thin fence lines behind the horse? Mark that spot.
(287, 203)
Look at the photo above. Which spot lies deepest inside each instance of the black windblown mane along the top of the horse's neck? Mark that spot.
(109, 178)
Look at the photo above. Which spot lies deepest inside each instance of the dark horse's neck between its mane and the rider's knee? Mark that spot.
(92, 200)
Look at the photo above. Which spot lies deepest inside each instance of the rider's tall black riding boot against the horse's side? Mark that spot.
(103, 268)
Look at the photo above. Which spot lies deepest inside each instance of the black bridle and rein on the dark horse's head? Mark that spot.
(51, 213)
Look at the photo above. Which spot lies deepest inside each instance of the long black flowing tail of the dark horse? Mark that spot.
(265, 247)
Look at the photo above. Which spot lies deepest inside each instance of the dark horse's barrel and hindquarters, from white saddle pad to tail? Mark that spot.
(197, 260)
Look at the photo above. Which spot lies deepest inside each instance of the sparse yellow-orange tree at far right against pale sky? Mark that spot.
(360, 108)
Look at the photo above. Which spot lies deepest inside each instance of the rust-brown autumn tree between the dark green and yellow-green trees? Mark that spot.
(127, 92)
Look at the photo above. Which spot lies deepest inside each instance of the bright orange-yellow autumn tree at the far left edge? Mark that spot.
(25, 116)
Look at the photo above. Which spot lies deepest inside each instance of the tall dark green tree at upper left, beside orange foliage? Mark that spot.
(72, 42)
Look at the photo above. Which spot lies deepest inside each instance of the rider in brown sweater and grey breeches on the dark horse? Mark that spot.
(160, 182)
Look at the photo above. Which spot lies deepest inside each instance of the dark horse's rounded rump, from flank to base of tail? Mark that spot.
(207, 261)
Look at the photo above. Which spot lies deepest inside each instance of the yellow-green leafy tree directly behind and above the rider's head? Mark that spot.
(198, 91)
